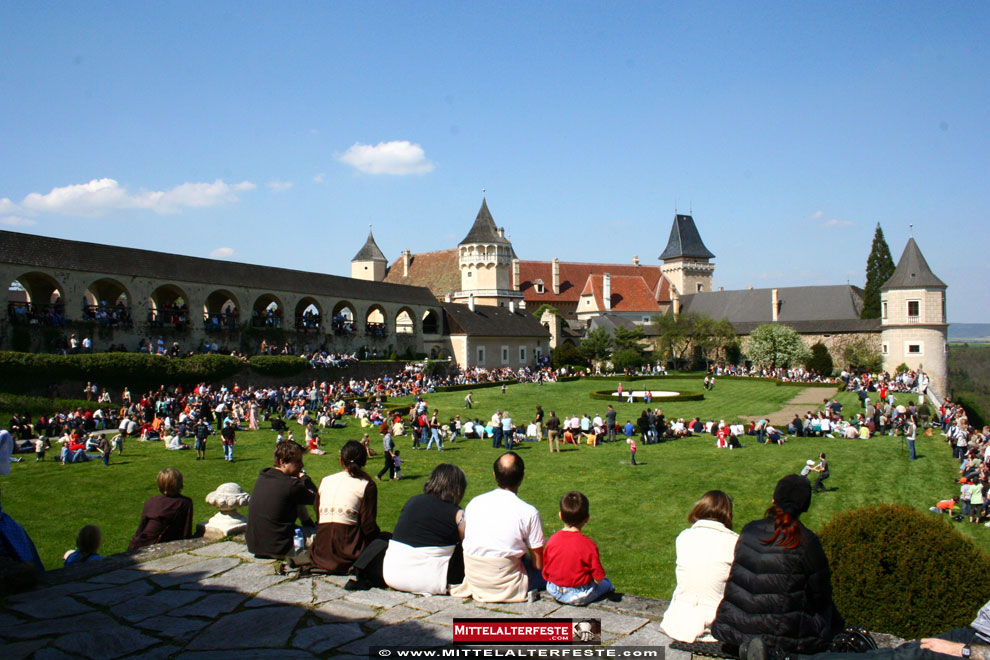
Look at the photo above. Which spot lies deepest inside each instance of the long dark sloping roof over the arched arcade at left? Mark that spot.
(55, 253)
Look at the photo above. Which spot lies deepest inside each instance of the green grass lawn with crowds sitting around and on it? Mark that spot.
(636, 512)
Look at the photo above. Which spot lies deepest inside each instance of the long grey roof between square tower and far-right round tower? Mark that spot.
(832, 308)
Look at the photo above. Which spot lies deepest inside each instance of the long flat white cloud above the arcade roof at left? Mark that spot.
(101, 196)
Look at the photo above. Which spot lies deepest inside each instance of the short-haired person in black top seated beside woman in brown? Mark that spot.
(276, 499)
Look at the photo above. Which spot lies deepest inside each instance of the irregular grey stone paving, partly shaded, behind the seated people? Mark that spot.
(212, 601)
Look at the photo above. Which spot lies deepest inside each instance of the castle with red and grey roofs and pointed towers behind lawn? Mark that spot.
(484, 270)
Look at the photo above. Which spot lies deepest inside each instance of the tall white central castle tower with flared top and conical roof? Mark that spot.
(484, 259)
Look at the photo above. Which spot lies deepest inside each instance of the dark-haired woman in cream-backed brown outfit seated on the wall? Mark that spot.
(348, 507)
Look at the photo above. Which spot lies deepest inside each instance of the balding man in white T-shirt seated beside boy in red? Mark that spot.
(500, 528)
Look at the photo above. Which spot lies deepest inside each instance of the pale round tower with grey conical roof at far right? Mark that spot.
(912, 319)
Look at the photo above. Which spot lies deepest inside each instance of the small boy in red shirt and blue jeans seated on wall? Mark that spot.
(571, 566)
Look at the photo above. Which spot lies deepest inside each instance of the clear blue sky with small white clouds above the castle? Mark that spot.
(275, 133)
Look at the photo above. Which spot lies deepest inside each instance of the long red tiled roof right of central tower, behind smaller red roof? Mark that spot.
(574, 277)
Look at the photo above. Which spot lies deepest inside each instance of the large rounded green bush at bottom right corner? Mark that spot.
(900, 571)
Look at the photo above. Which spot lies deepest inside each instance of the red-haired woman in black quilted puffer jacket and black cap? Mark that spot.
(779, 589)
